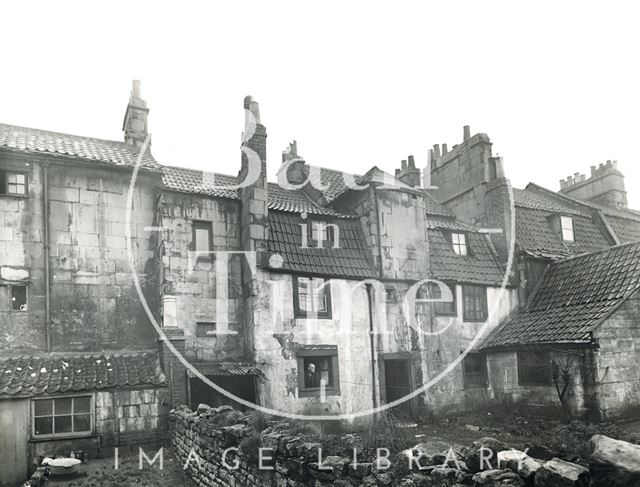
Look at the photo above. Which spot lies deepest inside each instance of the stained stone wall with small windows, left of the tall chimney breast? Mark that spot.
(194, 283)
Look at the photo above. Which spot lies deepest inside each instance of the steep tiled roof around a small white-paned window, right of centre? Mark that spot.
(478, 267)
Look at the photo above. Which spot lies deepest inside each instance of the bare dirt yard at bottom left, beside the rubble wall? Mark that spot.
(102, 473)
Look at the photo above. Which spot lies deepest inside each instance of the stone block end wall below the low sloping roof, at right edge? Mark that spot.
(618, 374)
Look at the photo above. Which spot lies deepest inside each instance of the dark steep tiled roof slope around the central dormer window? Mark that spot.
(350, 260)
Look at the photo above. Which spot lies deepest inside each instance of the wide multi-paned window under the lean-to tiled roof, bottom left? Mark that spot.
(63, 416)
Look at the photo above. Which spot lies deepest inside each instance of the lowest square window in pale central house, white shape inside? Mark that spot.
(318, 371)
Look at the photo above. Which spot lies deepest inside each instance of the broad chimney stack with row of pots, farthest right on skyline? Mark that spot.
(605, 185)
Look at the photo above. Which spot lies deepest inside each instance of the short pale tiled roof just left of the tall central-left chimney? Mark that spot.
(199, 182)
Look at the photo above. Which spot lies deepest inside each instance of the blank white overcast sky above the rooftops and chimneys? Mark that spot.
(554, 84)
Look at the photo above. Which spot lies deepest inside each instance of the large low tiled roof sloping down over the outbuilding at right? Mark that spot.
(574, 297)
